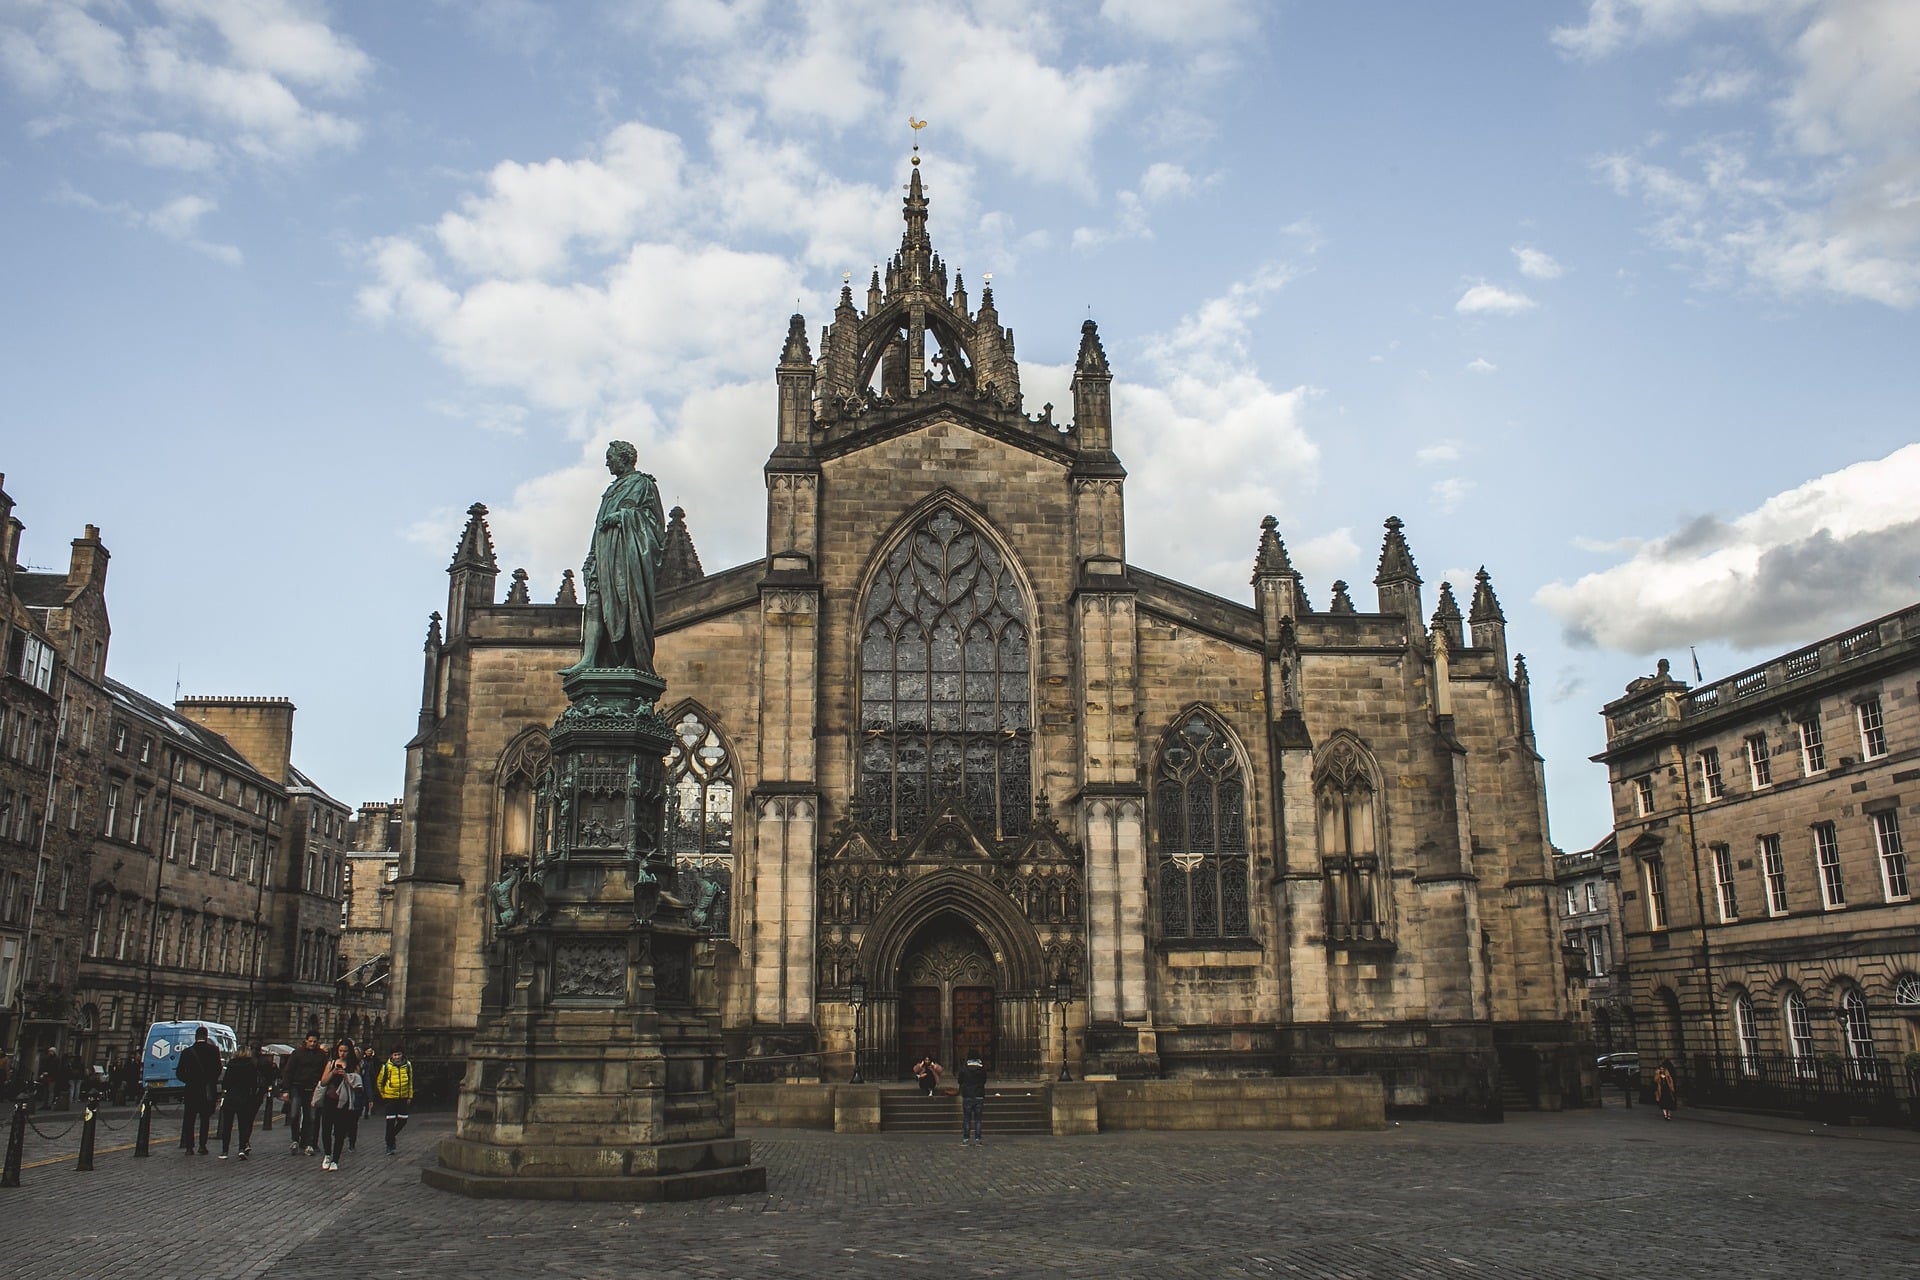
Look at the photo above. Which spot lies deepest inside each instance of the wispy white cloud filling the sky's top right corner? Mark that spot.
(1831, 204)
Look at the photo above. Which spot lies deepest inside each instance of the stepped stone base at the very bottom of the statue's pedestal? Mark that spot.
(646, 1173)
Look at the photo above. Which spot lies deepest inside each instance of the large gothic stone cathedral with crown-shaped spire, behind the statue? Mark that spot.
(955, 776)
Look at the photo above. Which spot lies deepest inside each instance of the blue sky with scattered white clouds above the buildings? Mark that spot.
(1612, 296)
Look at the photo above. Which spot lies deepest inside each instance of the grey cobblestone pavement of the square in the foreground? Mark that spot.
(1583, 1195)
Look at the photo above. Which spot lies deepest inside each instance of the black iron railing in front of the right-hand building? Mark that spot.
(1825, 1089)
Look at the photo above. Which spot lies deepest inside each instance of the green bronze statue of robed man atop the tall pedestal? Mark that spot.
(623, 563)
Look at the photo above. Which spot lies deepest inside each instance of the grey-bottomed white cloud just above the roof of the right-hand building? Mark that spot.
(1835, 550)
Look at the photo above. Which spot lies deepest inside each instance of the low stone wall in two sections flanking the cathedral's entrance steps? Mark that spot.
(1093, 1106)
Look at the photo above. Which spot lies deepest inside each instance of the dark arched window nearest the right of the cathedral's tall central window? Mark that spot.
(1201, 834)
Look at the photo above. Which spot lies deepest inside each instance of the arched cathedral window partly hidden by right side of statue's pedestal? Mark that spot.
(700, 818)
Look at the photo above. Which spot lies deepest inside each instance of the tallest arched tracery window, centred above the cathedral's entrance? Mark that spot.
(946, 686)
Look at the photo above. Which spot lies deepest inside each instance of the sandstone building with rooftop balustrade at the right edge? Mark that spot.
(1762, 822)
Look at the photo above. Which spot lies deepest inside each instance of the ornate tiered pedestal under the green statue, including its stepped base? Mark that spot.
(600, 1074)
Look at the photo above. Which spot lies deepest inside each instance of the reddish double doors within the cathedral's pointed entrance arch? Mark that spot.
(948, 997)
